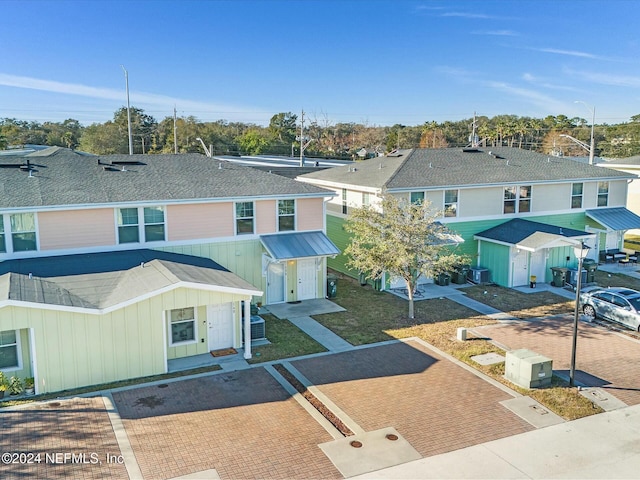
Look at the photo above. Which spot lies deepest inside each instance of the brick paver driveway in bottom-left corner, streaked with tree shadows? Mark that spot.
(72, 438)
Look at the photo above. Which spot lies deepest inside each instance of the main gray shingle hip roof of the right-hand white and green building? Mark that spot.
(433, 168)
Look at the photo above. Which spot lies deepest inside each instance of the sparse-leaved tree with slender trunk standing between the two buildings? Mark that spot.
(403, 239)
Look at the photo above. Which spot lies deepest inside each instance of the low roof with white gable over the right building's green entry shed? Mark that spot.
(532, 236)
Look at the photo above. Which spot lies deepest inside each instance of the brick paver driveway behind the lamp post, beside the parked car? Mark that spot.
(609, 359)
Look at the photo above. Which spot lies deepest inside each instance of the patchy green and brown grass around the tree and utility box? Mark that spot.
(374, 316)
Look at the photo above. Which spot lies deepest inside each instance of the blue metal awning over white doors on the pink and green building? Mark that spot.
(285, 246)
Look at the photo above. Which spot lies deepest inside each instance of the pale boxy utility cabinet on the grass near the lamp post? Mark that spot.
(528, 369)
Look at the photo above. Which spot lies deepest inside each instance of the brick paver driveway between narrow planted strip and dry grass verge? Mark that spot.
(434, 404)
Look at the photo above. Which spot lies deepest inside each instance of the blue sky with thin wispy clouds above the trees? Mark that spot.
(376, 62)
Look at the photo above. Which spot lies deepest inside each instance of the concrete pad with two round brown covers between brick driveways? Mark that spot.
(376, 451)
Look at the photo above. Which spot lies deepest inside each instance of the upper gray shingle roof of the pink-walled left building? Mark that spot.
(69, 179)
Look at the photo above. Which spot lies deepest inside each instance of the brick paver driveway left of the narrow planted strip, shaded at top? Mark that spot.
(243, 424)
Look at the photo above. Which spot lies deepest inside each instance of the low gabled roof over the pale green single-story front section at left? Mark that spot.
(103, 280)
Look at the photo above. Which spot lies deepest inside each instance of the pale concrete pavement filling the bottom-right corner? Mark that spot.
(599, 446)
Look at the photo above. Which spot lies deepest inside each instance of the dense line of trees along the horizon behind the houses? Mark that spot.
(558, 135)
